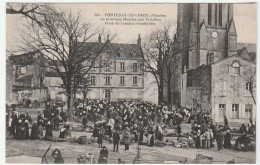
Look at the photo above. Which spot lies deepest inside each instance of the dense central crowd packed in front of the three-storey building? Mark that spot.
(136, 120)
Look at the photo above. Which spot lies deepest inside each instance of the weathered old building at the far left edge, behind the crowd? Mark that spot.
(27, 77)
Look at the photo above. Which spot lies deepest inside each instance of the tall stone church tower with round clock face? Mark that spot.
(207, 33)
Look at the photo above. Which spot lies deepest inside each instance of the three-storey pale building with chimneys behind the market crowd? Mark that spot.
(117, 73)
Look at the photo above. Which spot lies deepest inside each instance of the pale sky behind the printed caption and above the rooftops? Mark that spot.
(245, 17)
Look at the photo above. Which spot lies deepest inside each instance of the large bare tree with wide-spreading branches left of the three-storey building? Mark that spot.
(66, 42)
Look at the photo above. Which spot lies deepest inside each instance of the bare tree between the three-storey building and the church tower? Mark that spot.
(160, 57)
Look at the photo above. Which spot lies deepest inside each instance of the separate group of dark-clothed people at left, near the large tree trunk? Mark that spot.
(18, 124)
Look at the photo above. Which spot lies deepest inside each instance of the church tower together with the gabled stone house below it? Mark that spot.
(215, 76)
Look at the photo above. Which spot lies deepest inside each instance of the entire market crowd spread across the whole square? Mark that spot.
(124, 122)
